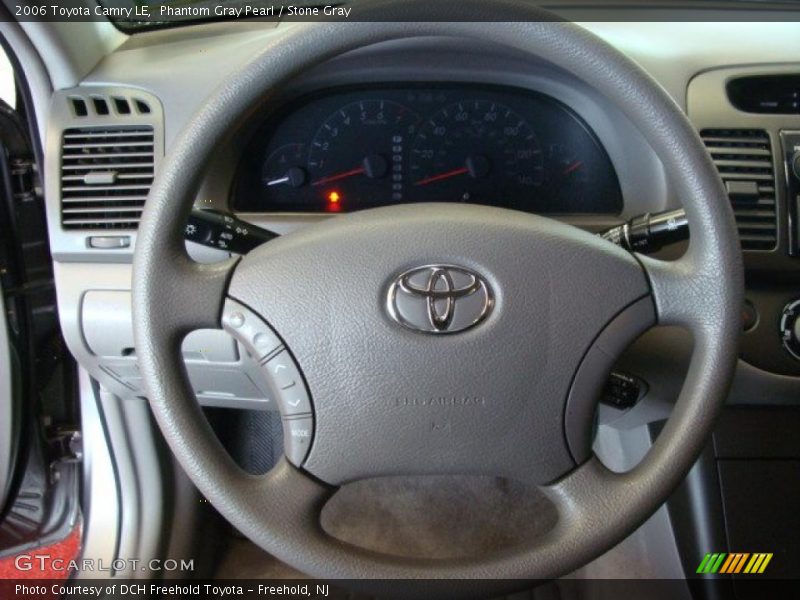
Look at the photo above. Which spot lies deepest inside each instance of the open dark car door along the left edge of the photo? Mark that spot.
(39, 438)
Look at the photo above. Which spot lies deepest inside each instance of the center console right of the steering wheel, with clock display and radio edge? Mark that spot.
(742, 494)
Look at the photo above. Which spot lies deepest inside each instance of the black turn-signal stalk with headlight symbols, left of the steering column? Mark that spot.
(224, 231)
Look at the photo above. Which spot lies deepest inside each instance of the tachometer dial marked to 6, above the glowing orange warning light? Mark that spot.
(357, 154)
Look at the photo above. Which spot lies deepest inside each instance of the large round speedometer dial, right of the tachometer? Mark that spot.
(476, 151)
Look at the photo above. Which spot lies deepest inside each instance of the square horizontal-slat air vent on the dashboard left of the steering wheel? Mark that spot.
(106, 173)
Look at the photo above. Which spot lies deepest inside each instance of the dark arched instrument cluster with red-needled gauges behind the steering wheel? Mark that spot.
(354, 148)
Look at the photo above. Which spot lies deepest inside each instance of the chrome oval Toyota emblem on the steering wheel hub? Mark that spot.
(439, 299)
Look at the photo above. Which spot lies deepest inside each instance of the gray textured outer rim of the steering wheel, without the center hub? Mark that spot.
(597, 508)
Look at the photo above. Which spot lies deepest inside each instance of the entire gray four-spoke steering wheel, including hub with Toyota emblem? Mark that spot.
(434, 338)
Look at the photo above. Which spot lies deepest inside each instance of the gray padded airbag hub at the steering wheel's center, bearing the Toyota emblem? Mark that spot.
(460, 365)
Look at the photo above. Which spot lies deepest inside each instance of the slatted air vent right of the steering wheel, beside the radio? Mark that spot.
(744, 160)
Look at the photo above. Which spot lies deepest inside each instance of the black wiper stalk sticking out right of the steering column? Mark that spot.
(650, 232)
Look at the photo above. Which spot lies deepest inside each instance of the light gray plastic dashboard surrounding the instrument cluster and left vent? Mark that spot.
(162, 68)
